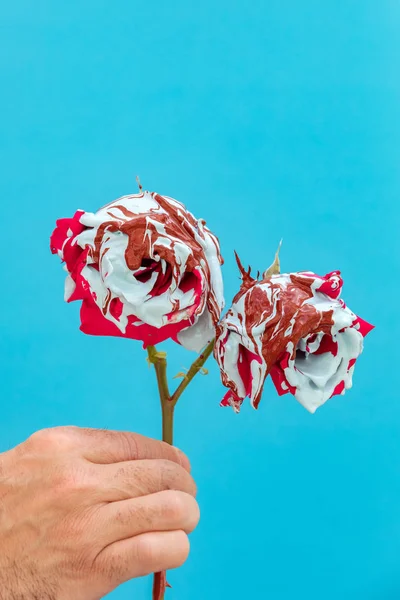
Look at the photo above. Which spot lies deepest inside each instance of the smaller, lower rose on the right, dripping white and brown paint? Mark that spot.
(295, 328)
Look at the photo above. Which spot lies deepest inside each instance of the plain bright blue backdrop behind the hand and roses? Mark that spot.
(269, 119)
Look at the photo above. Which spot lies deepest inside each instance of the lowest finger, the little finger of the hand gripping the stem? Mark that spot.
(141, 555)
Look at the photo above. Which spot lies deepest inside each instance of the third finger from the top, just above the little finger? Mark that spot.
(163, 511)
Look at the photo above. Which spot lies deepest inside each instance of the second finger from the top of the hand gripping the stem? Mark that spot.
(132, 479)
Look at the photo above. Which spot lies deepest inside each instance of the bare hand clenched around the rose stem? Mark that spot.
(84, 510)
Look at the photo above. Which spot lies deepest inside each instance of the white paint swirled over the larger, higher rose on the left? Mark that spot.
(136, 296)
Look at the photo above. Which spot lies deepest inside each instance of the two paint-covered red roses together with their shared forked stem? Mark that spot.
(144, 268)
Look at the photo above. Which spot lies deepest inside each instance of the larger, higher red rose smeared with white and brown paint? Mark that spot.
(144, 269)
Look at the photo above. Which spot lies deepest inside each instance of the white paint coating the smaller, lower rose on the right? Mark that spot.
(314, 377)
